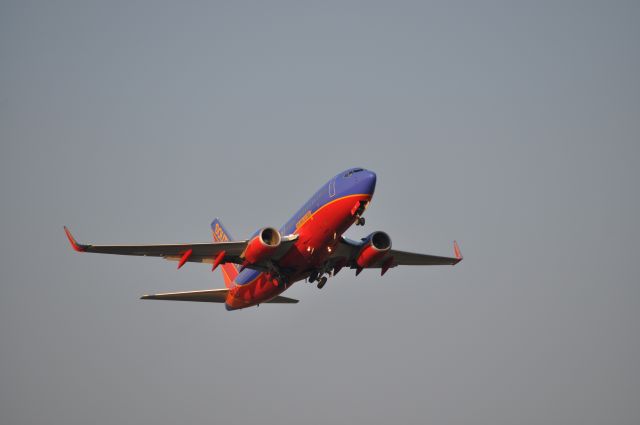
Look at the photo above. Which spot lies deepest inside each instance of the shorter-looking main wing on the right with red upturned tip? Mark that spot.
(347, 251)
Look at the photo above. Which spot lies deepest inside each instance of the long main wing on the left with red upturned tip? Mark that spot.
(194, 252)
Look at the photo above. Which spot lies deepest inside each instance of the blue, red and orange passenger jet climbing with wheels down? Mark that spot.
(310, 246)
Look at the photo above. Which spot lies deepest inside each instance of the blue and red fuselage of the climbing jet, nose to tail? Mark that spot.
(320, 222)
